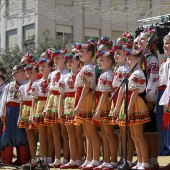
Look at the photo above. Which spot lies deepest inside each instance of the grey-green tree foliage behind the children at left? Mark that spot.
(11, 57)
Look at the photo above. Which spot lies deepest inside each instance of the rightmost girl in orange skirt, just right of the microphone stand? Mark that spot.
(138, 113)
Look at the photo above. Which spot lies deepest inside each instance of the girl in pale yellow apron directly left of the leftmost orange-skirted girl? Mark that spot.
(67, 92)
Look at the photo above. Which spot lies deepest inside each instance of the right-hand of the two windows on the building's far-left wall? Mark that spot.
(28, 32)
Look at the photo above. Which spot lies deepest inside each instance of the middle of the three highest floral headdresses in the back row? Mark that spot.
(128, 38)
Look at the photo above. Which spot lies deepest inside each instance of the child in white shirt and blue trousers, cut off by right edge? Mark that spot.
(162, 83)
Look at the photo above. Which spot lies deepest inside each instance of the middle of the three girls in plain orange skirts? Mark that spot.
(104, 88)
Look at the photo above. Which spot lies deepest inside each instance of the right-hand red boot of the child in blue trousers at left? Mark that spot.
(24, 154)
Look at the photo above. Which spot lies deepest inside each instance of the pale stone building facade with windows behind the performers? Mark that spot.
(24, 19)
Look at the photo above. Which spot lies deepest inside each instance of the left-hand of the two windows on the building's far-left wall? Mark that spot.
(11, 39)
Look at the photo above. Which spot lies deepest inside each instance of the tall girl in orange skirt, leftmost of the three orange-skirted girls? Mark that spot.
(85, 83)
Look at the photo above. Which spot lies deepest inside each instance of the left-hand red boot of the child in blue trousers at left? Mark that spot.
(7, 155)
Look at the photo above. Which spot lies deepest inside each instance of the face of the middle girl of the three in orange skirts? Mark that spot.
(104, 63)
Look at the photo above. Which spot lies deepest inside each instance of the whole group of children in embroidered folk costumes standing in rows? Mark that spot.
(67, 101)
